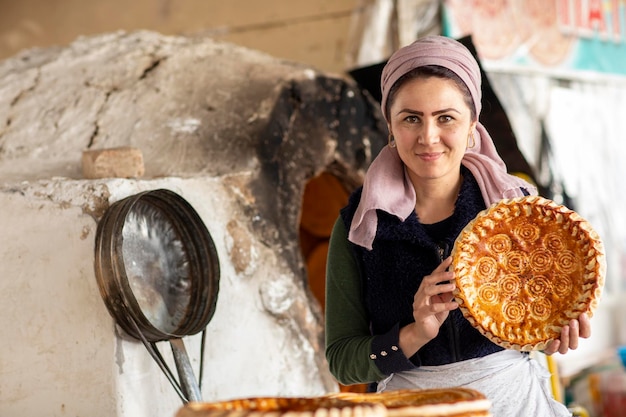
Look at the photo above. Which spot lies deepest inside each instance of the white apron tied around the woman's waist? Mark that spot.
(516, 384)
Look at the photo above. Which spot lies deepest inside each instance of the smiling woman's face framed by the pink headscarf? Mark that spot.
(431, 122)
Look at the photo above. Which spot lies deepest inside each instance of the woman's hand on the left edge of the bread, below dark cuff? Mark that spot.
(432, 303)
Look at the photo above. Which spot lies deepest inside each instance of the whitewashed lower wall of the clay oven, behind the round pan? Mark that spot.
(62, 353)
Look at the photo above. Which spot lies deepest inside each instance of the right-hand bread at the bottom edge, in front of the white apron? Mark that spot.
(449, 402)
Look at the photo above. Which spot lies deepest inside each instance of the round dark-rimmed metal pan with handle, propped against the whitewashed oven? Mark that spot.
(158, 272)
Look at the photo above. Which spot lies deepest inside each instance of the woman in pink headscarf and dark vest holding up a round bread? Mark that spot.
(390, 314)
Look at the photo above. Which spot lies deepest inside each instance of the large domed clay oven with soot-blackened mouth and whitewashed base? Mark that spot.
(240, 136)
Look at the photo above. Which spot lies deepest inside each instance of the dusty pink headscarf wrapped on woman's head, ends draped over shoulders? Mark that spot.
(387, 186)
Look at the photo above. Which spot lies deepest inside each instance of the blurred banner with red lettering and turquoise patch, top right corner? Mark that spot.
(567, 37)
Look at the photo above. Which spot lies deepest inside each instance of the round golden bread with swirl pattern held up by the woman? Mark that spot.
(524, 268)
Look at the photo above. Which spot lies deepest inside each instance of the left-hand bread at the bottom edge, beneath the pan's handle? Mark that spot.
(283, 407)
